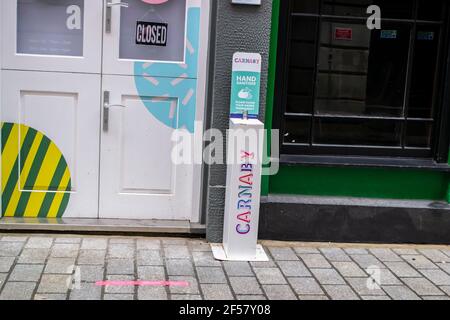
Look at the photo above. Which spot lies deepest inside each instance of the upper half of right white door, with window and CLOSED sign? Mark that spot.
(177, 58)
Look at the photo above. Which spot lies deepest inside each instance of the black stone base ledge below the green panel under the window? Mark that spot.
(350, 220)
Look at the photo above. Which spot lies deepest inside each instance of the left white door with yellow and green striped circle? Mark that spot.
(50, 107)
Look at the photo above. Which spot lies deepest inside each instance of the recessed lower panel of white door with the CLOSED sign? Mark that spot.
(143, 172)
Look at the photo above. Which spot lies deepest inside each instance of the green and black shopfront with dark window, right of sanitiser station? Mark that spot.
(363, 115)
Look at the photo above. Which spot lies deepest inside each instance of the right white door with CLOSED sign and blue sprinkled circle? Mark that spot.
(151, 83)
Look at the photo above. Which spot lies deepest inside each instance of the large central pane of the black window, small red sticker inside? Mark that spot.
(362, 72)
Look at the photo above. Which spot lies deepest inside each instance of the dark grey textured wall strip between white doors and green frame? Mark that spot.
(237, 28)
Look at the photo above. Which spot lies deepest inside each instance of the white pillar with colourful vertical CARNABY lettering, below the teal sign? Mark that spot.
(243, 193)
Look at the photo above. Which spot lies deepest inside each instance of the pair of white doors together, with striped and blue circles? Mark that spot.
(87, 134)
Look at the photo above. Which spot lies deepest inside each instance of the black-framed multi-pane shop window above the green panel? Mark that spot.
(344, 89)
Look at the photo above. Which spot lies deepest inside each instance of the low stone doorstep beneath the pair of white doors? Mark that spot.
(102, 226)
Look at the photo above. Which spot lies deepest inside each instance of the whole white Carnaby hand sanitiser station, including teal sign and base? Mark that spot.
(244, 162)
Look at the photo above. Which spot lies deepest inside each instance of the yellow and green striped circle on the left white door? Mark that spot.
(35, 181)
